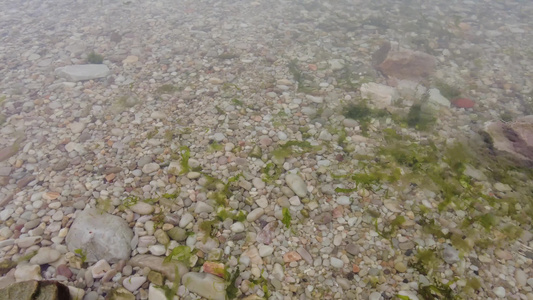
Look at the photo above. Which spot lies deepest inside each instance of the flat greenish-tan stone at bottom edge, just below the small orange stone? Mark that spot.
(206, 285)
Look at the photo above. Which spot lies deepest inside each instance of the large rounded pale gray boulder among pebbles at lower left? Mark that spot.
(101, 236)
